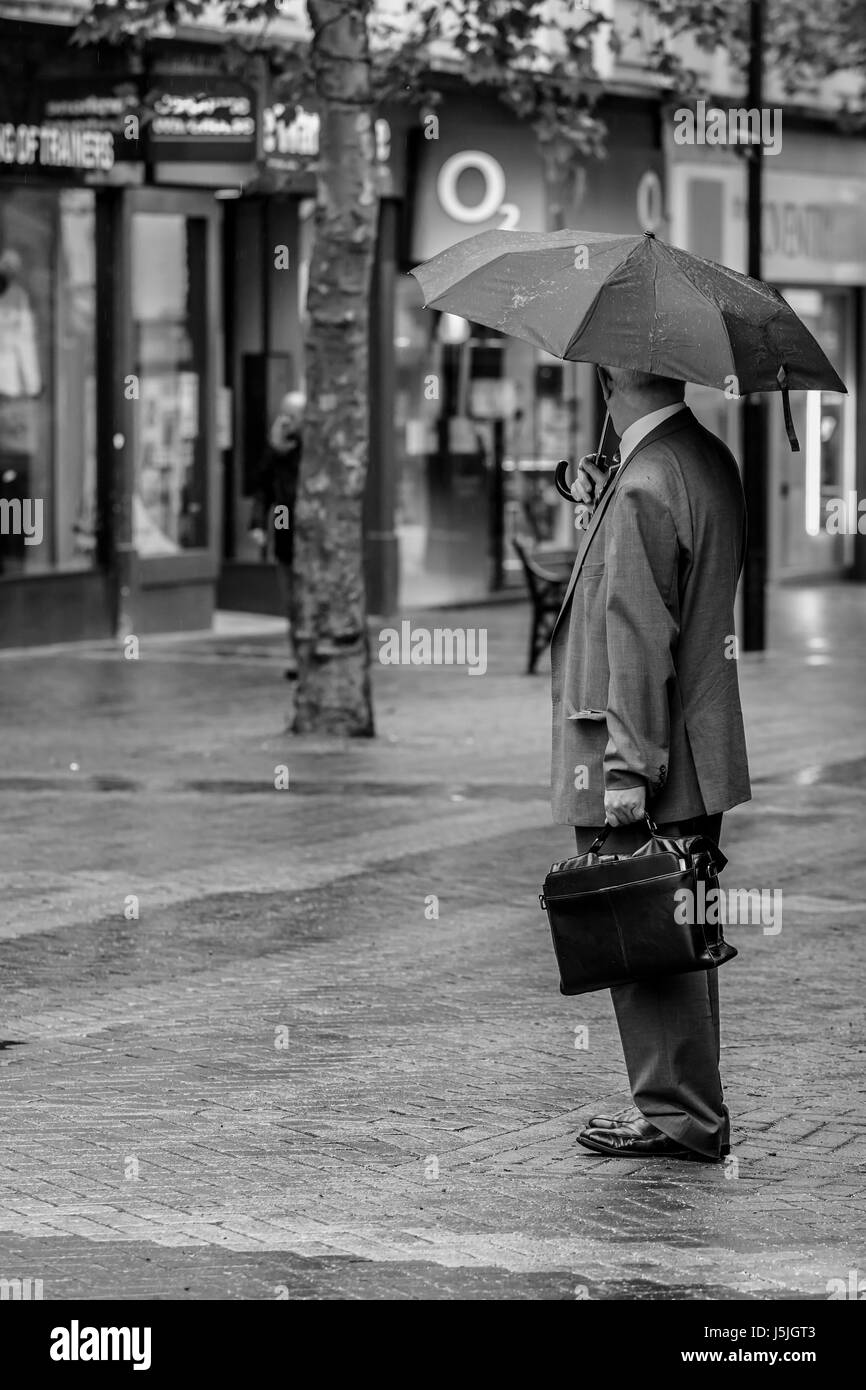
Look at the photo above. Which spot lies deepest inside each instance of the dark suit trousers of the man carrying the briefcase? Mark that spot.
(669, 1028)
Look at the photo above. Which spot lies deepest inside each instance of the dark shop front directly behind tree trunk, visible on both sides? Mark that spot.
(269, 245)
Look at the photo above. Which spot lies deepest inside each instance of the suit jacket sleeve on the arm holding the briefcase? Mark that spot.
(642, 562)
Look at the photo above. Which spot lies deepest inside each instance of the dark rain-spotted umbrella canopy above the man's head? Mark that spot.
(630, 302)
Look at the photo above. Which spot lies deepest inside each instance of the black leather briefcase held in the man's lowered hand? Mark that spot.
(622, 918)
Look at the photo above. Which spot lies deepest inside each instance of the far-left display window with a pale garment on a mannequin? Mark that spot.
(48, 380)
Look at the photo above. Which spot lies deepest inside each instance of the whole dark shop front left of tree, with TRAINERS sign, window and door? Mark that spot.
(112, 398)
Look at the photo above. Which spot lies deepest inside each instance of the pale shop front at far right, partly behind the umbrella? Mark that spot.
(814, 240)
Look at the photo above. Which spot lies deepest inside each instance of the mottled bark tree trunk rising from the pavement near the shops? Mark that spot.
(329, 603)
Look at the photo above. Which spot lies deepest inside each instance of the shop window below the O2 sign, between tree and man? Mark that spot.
(480, 423)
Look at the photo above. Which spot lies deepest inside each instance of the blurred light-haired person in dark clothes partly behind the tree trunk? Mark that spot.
(276, 494)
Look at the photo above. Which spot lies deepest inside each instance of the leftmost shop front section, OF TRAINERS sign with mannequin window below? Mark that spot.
(52, 583)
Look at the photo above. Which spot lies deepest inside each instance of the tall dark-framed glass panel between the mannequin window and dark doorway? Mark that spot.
(176, 329)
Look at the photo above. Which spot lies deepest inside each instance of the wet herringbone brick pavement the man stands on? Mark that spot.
(307, 1042)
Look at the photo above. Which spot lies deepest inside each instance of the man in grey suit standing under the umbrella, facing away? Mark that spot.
(647, 718)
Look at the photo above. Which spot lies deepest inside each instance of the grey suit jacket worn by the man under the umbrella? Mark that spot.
(644, 664)
